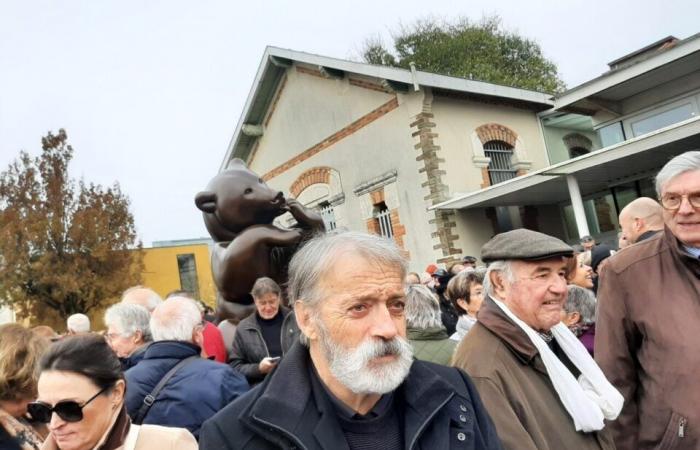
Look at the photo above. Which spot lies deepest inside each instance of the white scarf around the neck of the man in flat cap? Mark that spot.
(590, 399)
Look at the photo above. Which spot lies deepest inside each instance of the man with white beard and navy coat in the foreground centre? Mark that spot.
(353, 383)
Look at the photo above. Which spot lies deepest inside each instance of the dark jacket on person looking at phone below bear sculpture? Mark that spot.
(249, 346)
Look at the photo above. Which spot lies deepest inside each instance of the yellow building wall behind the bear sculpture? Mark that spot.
(161, 273)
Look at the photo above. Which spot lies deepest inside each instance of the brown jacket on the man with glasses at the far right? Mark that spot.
(647, 343)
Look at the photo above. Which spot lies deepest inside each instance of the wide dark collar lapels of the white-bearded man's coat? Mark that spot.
(288, 390)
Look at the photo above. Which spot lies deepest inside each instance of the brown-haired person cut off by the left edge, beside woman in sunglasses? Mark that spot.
(20, 350)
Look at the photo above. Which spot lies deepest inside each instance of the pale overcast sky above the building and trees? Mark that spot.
(150, 91)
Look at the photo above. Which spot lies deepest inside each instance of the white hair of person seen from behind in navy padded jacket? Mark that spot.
(175, 320)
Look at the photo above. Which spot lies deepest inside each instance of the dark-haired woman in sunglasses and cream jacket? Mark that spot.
(81, 397)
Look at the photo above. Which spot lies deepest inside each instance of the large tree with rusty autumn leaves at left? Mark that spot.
(65, 246)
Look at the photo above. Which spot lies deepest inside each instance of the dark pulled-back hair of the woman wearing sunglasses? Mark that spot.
(87, 355)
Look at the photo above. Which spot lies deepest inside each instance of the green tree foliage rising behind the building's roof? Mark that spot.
(482, 51)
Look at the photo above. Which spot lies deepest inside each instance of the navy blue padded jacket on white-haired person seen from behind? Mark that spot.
(195, 393)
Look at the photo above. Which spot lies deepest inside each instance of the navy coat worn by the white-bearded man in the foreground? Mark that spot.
(442, 411)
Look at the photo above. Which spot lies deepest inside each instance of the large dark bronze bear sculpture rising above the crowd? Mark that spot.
(238, 209)
